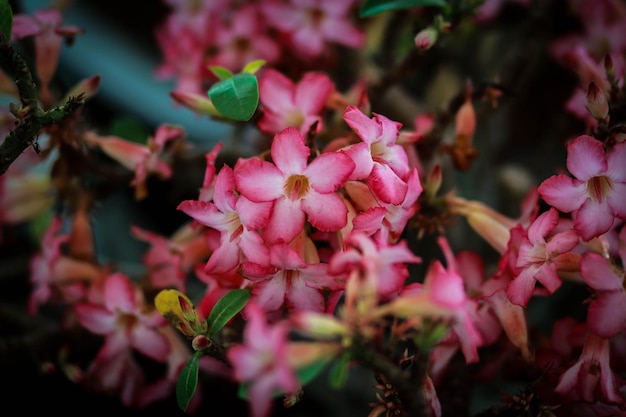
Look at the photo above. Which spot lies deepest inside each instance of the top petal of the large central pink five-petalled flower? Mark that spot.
(289, 152)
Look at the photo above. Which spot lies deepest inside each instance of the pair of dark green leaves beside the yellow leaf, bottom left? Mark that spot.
(224, 310)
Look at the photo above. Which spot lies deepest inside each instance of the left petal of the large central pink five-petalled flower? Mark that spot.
(258, 180)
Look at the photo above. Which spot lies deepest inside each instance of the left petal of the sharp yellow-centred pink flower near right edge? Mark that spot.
(564, 193)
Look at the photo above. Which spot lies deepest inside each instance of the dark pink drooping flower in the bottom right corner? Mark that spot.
(591, 378)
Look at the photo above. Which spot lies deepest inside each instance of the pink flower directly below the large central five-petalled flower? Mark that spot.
(288, 280)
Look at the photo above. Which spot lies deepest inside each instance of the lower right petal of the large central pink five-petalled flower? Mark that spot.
(326, 212)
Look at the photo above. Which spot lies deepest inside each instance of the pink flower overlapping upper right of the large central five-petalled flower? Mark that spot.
(379, 160)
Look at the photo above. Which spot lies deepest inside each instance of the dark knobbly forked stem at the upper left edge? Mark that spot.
(30, 118)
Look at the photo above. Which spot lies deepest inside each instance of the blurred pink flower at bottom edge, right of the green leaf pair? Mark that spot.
(262, 362)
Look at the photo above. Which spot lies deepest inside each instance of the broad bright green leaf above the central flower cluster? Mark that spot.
(236, 97)
